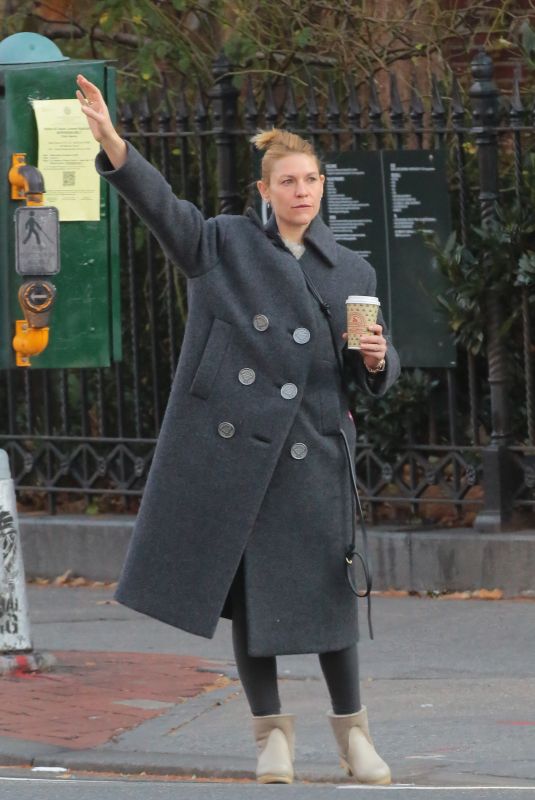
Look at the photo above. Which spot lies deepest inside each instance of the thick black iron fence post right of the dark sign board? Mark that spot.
(497, 459)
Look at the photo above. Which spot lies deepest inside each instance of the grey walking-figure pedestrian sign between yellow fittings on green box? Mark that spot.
(37, 240)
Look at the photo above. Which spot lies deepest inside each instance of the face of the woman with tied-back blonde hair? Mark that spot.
(295, 190)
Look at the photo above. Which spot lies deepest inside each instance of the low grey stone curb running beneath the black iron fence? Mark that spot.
(422, 560)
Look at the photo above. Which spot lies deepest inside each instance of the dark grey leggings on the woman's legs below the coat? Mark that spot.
(258, 674)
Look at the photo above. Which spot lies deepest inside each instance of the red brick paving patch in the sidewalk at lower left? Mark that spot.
(91, 698)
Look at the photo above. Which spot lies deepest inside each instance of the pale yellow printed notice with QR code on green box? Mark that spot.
(67, 153)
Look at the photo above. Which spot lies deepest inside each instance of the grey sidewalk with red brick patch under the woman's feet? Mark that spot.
(449, 686)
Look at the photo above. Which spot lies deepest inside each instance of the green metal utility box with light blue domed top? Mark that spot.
(85, 320)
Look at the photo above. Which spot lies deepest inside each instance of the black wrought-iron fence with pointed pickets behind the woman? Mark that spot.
(443, 444)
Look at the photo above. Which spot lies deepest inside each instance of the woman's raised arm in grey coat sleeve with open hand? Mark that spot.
(188, 240)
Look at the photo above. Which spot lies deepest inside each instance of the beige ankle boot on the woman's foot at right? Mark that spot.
(357, 753)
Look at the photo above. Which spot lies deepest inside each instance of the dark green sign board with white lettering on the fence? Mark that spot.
(378, 203)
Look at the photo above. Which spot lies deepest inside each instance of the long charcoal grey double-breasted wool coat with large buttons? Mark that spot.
(249, 464)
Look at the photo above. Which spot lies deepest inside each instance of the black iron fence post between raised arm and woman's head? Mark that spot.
(224, 96)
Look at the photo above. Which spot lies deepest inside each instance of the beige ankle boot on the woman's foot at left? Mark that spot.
(274, 736)
